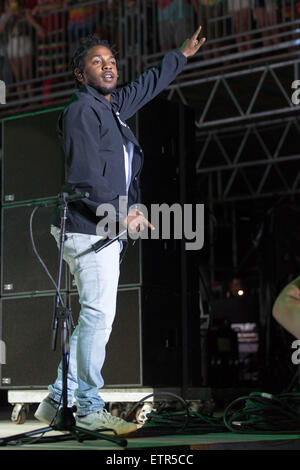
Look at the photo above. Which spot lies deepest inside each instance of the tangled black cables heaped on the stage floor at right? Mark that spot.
(258, 413)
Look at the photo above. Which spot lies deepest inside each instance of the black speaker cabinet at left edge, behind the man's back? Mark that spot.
(32, 159)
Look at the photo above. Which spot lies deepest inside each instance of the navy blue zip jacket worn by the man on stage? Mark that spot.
(92, 131)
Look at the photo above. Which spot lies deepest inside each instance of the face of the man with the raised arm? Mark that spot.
(100, 70)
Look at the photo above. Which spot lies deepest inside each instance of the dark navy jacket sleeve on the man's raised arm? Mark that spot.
(147, 86)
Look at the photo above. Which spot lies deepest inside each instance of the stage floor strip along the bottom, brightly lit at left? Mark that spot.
(154, 444)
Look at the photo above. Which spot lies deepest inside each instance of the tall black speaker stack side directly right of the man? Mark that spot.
(170, 309)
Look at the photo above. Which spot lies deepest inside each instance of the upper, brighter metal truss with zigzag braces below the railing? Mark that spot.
(249, 94)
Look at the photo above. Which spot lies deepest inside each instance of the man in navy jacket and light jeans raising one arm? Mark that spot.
(104, 159)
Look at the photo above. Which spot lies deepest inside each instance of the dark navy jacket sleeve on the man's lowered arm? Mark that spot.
(84, 166)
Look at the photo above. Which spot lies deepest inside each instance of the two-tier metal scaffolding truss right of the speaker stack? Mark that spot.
(247, 131)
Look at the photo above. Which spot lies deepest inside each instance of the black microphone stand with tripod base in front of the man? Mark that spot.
(65, 420)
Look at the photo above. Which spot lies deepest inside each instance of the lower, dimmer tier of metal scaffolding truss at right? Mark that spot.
(250, 161)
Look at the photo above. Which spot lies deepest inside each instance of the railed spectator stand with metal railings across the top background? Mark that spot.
(36, 50)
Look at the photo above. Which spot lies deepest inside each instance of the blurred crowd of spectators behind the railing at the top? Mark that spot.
(39, 36)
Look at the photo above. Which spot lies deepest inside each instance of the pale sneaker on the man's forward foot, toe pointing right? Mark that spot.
(102, 419)
